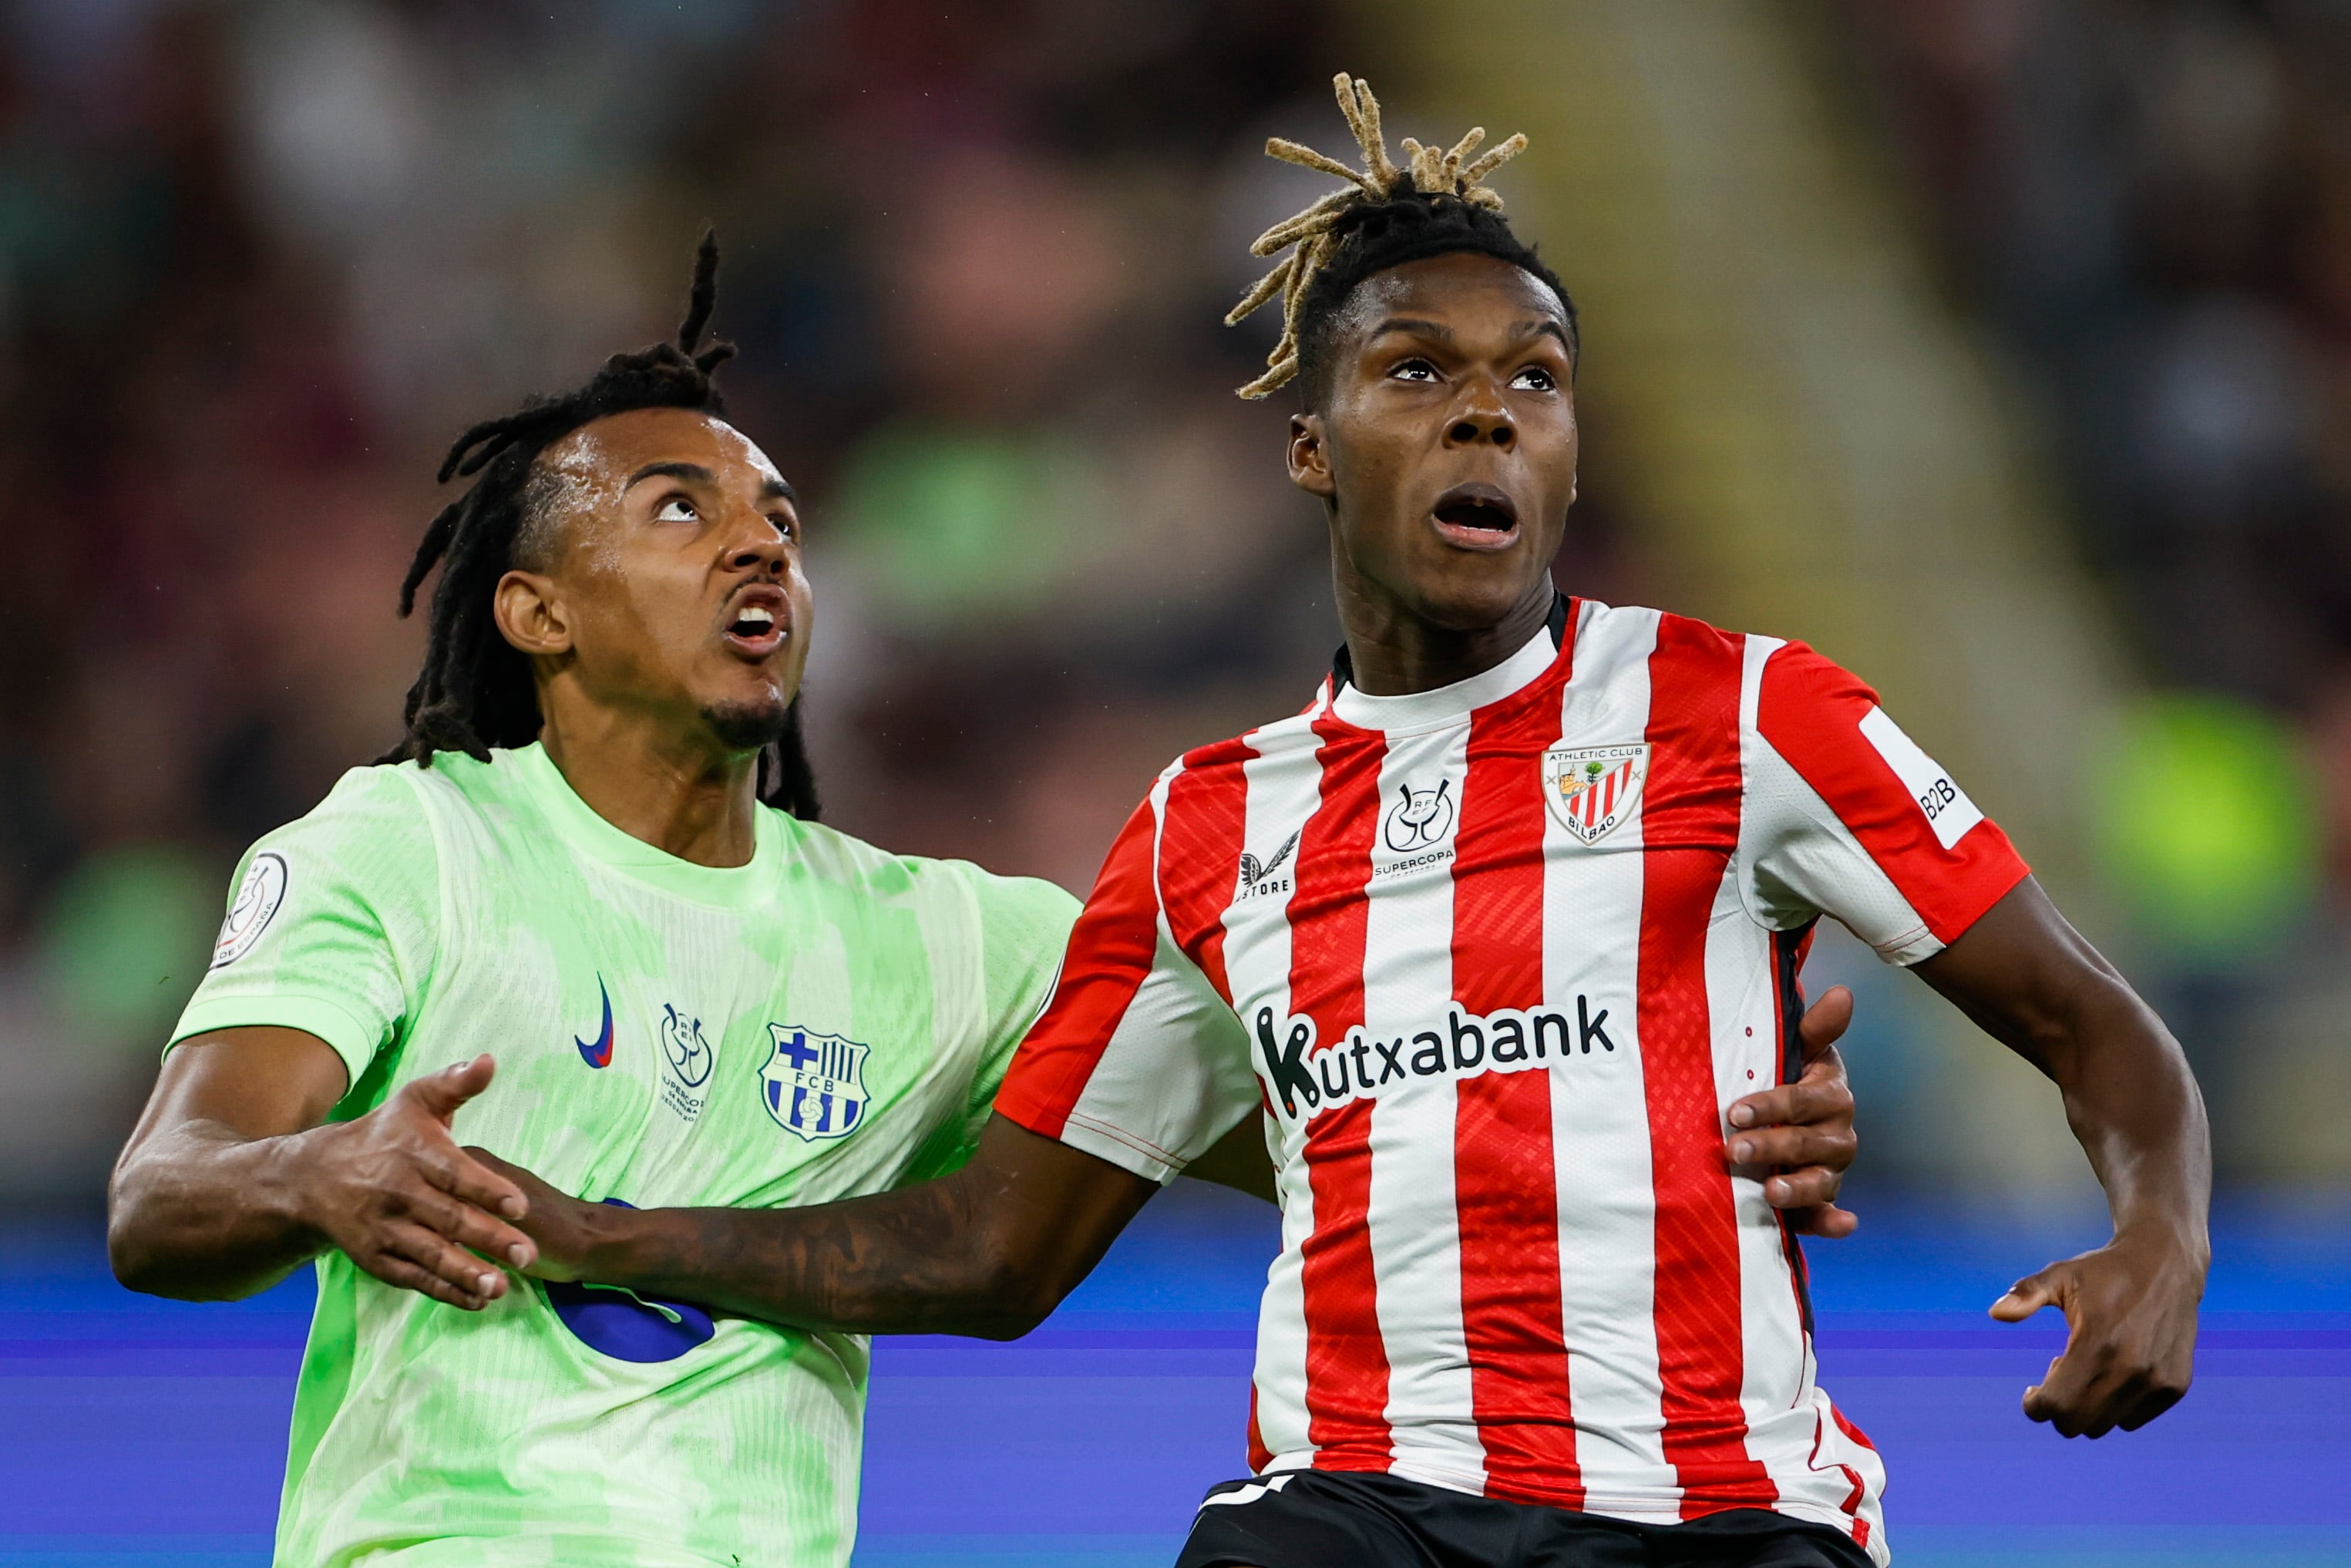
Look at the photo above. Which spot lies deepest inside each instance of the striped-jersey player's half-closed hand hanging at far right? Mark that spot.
(2131, 1336)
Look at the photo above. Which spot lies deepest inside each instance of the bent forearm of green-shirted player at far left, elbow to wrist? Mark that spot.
(206, 1214)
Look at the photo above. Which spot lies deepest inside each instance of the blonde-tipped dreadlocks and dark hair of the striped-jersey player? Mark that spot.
(1384, 217)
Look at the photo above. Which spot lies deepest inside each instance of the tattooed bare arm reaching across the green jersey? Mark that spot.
(986, 1252)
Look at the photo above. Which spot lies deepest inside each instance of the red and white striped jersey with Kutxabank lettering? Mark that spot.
(1492, 963)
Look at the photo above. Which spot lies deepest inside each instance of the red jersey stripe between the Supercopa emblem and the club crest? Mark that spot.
(1503, 1162)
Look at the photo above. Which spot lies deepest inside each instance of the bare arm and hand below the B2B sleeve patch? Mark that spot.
(2131, 1306)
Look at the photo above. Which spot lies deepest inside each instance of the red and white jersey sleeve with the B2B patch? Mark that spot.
(1847, 817)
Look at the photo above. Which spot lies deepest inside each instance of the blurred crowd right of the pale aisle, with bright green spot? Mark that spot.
(2150, 201)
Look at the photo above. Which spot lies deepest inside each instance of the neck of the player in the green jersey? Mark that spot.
(667, 789)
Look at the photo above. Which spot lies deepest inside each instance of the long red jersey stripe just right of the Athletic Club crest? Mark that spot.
(1689, 831)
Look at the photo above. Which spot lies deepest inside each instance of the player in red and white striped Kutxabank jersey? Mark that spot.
(1492, 942)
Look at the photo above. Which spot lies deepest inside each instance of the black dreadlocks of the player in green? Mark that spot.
(476, 688)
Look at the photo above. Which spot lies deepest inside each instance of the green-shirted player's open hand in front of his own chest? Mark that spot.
(401, 1200)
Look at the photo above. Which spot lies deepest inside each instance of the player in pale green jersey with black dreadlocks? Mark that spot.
(697, 993)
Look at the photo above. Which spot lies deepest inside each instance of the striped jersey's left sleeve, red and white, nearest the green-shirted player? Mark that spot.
(1137, 1059)
